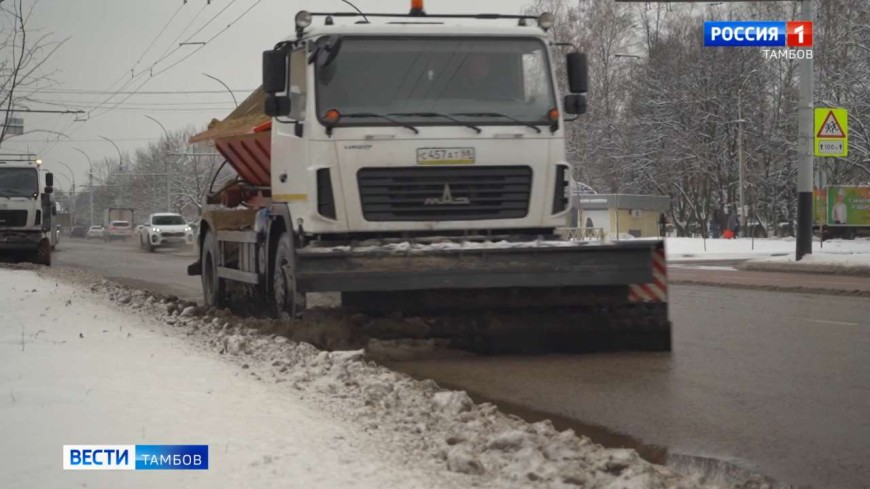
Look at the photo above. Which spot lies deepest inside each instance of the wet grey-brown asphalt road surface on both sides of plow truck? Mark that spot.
(775, 382)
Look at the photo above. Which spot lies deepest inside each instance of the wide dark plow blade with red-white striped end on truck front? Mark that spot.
(527, 297)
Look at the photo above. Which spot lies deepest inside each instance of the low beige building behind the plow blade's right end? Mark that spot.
(619, 215)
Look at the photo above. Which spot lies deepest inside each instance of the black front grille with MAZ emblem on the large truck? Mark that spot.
(439, 194)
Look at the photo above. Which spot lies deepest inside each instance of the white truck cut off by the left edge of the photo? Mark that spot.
(26, 210)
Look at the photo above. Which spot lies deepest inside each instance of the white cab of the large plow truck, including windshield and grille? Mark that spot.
(413, 127)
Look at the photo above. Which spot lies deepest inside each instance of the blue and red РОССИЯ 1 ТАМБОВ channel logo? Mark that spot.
(794, 40)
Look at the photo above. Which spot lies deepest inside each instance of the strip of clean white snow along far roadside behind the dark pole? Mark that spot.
(693, 249)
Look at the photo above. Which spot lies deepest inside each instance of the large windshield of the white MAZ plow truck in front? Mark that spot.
(484, 81)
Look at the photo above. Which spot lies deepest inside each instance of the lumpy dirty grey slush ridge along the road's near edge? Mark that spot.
(435, 430)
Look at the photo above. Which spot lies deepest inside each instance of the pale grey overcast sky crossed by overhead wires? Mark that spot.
(107, 38)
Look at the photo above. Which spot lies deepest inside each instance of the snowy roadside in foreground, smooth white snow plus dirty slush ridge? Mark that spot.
(89, 362)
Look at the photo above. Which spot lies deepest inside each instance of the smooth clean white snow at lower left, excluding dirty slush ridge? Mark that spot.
(75, 371)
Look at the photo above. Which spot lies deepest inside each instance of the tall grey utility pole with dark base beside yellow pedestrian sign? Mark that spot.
(804, 242)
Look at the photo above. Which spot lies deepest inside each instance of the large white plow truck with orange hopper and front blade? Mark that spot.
(416, 164)
